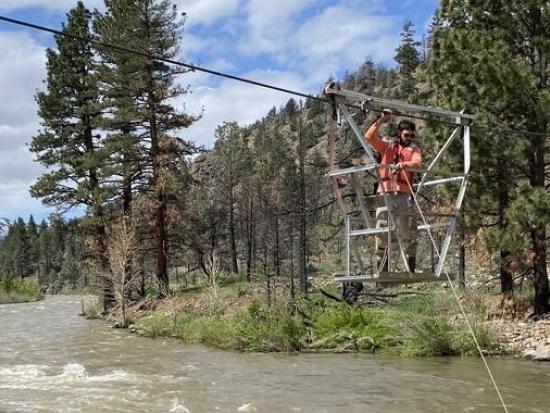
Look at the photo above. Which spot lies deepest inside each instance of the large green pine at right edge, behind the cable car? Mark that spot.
(489, 57)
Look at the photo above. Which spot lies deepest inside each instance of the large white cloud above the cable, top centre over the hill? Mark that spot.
(333, 38)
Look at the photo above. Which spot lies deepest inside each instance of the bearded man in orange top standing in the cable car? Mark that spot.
(398, 160)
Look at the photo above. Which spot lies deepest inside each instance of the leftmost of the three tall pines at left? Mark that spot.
(69, 143)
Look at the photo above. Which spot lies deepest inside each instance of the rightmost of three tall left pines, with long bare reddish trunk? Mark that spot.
(153, 27)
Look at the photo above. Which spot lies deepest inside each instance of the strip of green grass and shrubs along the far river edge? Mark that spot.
(416, 325)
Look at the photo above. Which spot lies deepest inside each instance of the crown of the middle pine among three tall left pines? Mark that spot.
(121, 80)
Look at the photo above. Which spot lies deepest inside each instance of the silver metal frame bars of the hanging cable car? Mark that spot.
(341, 99)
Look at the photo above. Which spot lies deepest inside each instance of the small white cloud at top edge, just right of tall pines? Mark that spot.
(207, 11)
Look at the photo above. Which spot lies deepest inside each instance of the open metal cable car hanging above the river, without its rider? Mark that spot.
(436, 224)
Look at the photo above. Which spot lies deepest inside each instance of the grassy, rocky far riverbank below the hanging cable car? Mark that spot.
(415, 321)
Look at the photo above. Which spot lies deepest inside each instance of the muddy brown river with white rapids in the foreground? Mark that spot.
(52, 360)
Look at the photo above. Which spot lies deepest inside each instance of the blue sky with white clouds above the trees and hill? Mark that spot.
(294, 44)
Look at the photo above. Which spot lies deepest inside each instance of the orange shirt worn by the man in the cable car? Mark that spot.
(410, 157)
